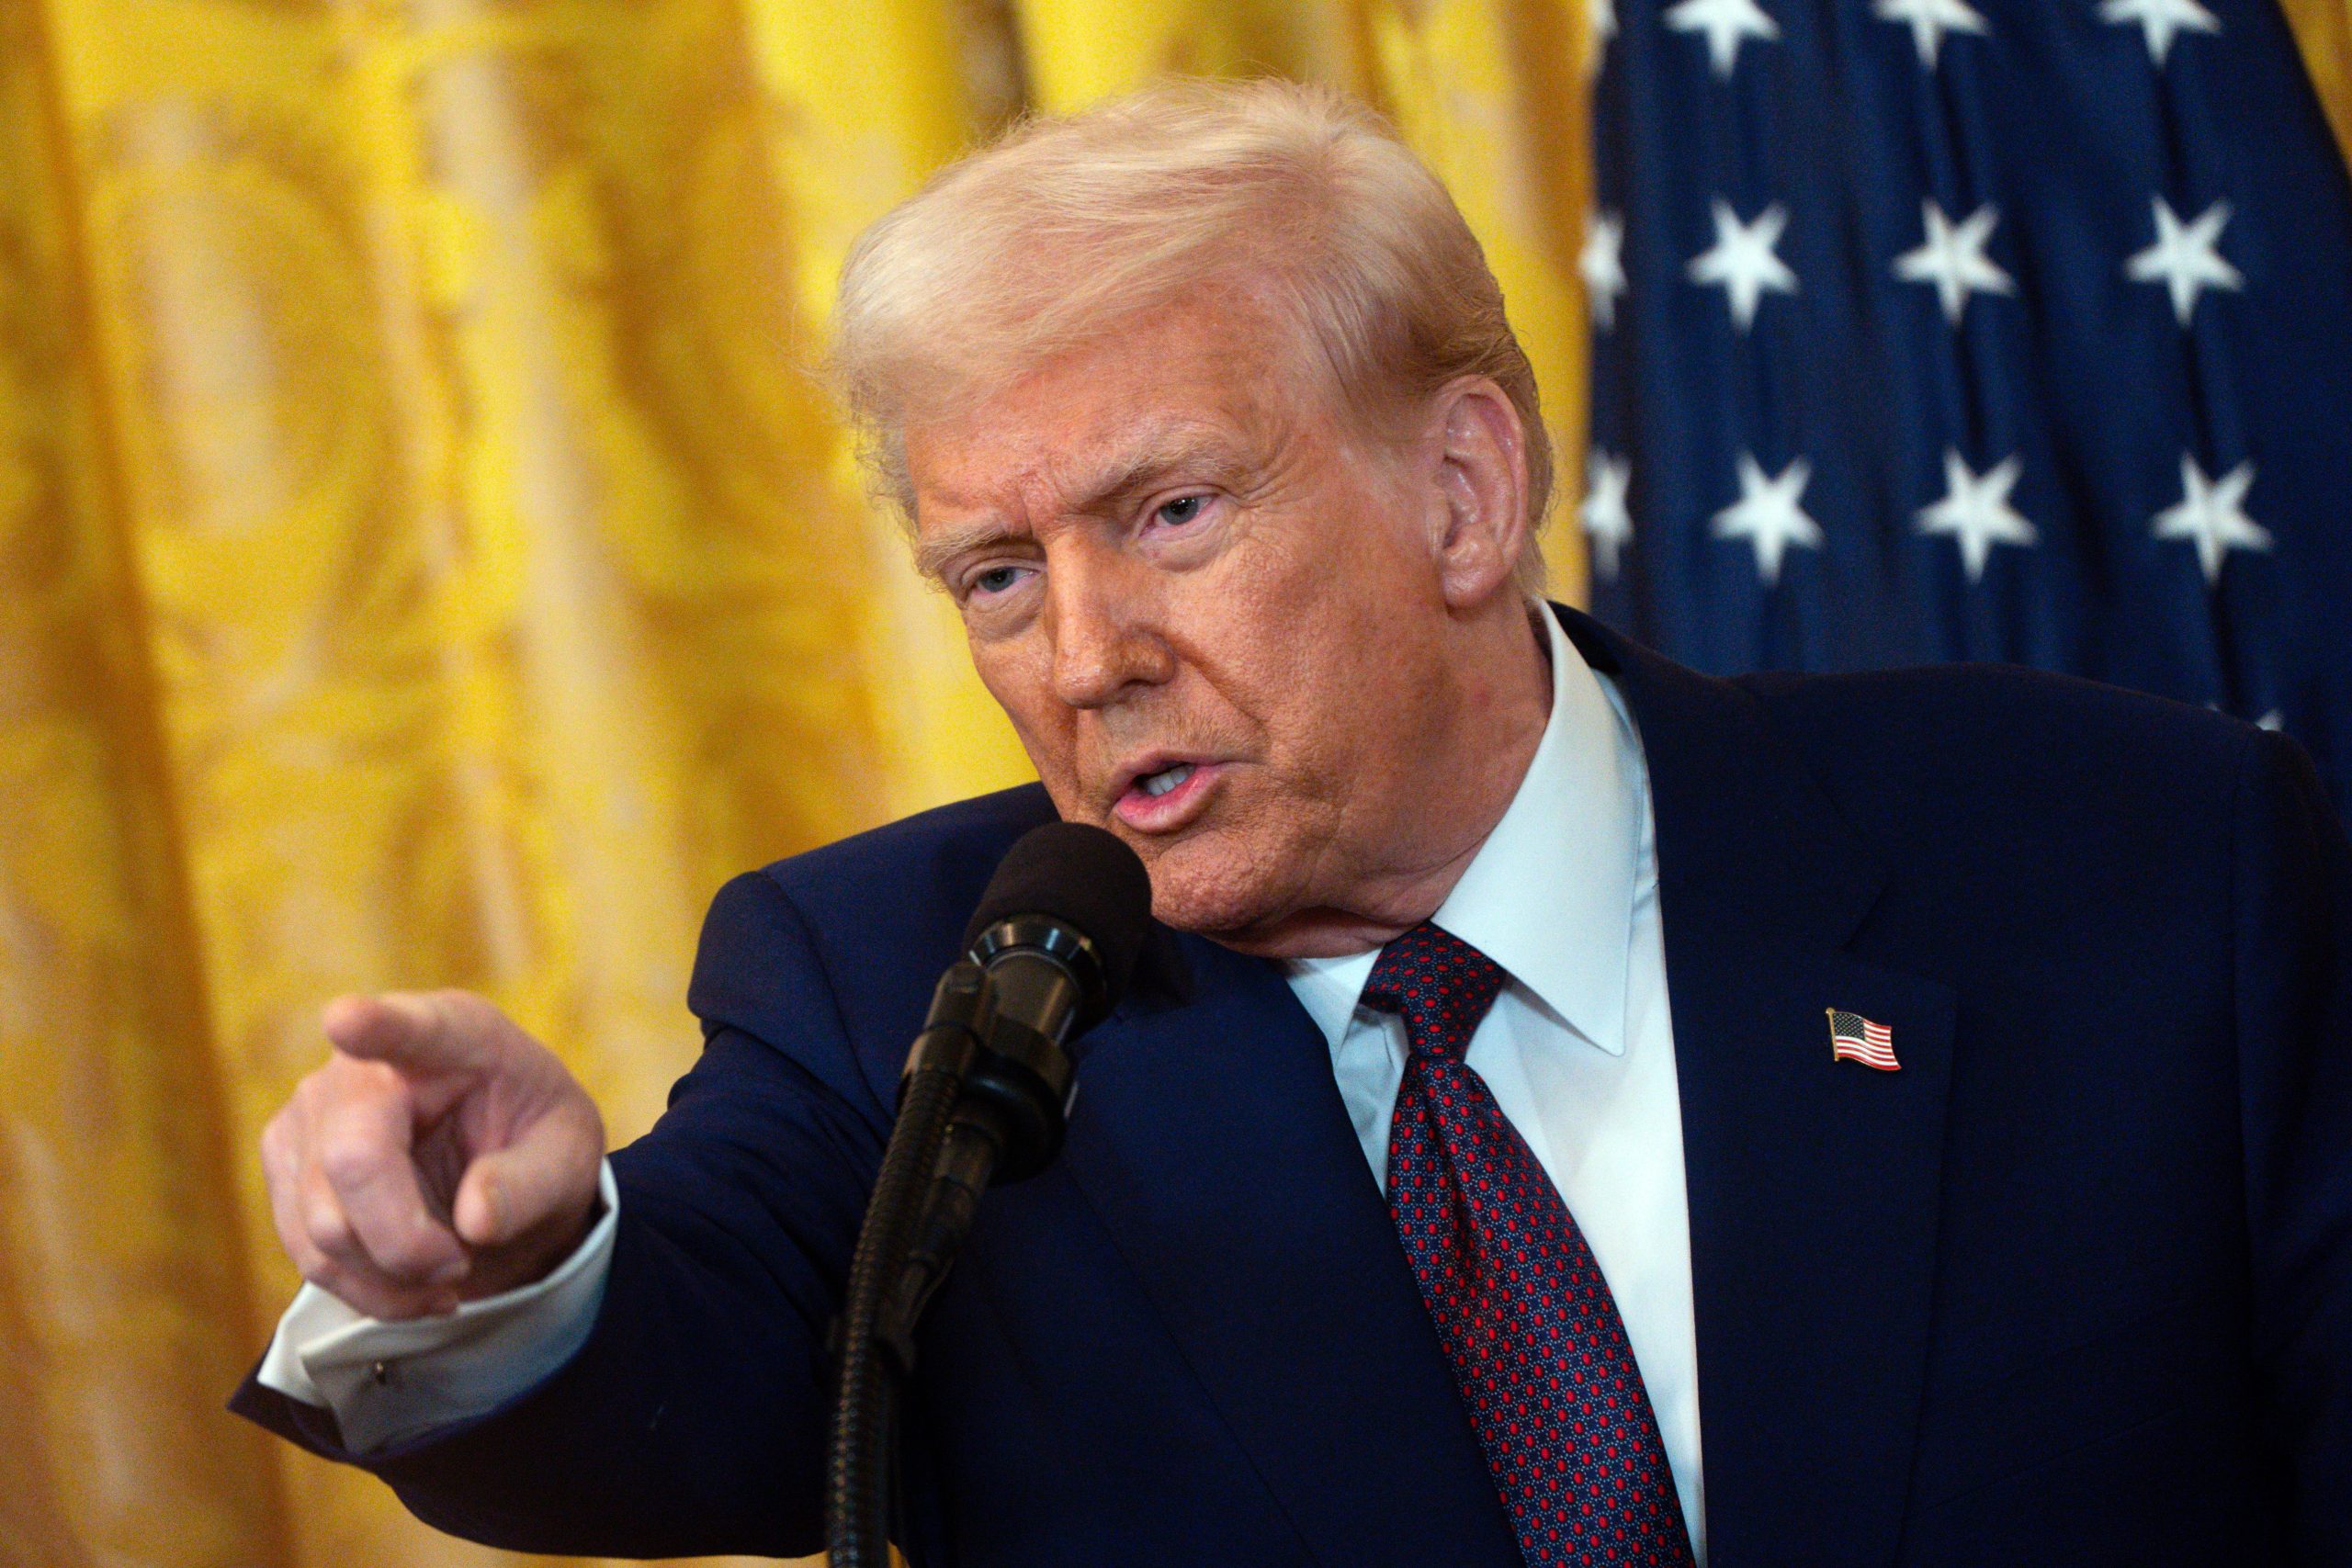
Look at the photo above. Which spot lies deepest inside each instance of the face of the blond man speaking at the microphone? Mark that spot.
(1215, 615)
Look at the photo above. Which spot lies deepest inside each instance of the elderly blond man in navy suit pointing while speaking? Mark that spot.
(1575, 1111)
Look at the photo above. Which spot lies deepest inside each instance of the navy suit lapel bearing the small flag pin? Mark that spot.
(1812, 1181)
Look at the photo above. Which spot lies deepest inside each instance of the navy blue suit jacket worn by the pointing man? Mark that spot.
(2071, 1287)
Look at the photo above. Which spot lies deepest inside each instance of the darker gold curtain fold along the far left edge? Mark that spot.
(123, 1296)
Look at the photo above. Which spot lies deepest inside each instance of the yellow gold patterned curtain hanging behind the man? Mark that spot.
(427, 558)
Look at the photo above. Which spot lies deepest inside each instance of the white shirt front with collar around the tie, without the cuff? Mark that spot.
(1577, 1050)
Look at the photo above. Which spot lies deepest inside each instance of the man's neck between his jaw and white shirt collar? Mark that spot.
(1504, 699)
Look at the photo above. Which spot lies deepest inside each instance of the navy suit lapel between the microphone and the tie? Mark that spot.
(1212, 1141)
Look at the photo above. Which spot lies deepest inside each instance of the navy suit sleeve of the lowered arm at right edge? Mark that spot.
(2294, 1028)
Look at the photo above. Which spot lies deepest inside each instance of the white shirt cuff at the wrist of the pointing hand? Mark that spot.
(392, 1381)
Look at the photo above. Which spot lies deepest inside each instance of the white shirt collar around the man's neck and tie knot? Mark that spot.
(1549, 894)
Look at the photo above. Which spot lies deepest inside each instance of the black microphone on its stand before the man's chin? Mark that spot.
(984, 1097)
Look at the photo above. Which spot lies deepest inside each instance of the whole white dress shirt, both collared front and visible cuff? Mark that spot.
(1579, 1054)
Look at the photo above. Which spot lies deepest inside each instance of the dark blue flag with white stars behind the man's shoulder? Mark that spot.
(1977, 330)
